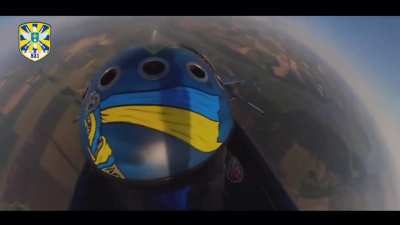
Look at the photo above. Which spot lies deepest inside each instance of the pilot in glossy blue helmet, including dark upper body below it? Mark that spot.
(154, 126)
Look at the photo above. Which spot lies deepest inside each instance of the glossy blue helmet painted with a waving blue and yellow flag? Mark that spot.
(153, 113)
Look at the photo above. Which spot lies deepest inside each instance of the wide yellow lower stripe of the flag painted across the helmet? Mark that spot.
(192, 128)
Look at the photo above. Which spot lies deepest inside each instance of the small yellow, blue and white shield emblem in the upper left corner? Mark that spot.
(34, 40)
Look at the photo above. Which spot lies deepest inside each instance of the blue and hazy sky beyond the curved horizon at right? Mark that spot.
(365, 51)
